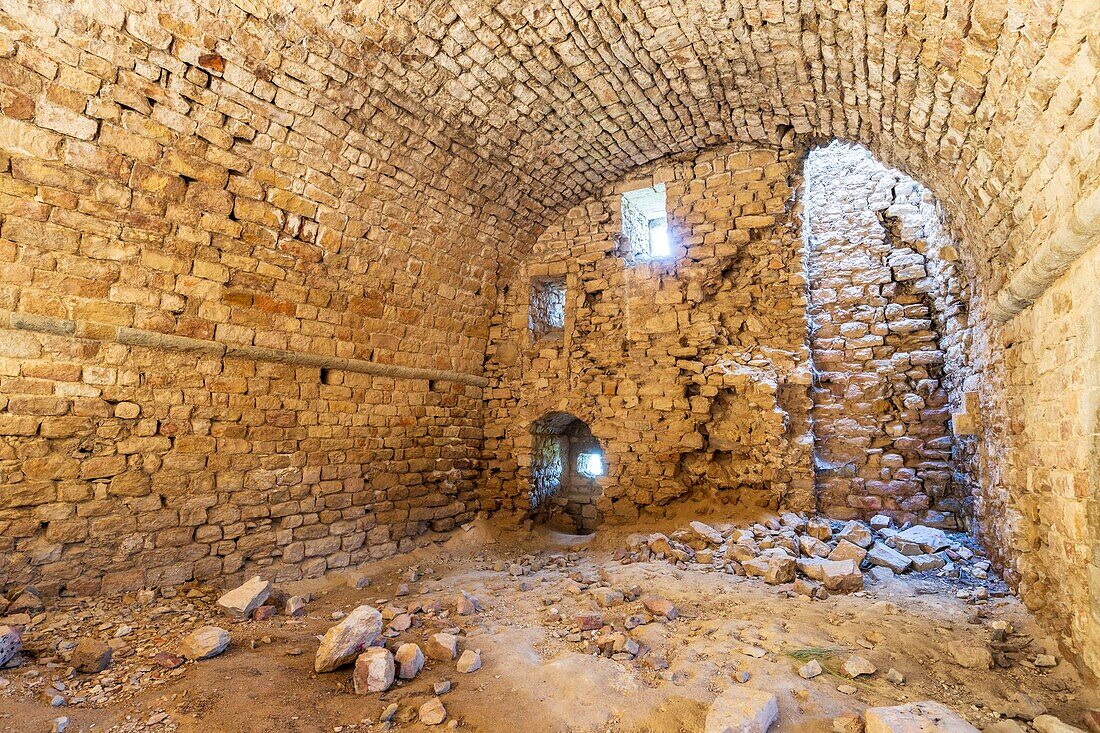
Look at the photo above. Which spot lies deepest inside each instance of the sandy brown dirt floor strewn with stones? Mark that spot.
(540, 673)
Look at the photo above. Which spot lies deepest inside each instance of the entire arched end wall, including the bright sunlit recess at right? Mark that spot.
(713, 374)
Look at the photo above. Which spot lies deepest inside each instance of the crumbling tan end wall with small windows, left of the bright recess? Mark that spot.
(692, 371)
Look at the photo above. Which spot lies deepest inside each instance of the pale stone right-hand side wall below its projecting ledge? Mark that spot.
(1039, 510)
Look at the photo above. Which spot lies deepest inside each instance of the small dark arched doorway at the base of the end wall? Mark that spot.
(567, 463)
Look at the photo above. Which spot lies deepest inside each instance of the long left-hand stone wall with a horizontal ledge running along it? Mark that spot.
(226, 179)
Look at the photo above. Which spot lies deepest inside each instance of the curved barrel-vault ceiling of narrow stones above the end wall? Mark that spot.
(983, 101)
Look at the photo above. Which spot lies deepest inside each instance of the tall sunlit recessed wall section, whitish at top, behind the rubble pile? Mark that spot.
(881, 297)
